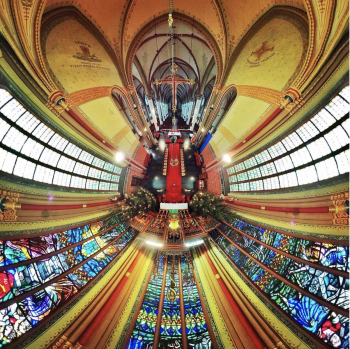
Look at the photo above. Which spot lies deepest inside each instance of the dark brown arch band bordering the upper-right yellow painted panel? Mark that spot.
(294, 15)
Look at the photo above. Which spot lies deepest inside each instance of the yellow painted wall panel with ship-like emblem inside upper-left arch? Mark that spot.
(76, 58)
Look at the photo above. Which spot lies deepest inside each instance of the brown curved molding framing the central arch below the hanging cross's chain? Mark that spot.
(136, 42)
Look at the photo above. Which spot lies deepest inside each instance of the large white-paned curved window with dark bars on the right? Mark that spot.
(315, 151)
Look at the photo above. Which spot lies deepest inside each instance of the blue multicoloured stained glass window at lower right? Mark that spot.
(323, 276)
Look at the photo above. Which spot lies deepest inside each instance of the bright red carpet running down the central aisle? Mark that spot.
(173, 178)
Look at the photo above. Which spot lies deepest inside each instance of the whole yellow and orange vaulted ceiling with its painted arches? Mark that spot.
(259, 48)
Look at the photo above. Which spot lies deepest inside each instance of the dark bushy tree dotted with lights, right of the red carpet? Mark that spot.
(209, 205)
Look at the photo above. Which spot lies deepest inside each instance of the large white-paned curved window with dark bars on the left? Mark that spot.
(32, 150)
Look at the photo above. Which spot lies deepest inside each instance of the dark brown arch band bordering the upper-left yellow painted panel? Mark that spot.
(56, 16)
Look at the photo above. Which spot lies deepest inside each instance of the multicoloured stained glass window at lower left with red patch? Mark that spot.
(87, 257)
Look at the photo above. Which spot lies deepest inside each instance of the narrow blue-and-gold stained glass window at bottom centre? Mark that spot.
(170, 333)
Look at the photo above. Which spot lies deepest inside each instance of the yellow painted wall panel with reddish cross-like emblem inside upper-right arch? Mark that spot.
(272, 56)
